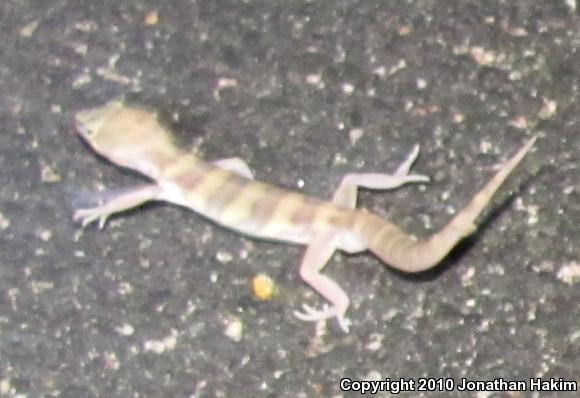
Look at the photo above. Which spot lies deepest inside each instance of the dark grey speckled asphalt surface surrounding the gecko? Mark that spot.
(159, 304)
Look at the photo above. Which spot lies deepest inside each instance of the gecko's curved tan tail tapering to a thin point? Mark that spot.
(409, 255)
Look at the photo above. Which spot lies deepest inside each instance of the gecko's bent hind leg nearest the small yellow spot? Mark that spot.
(315, 258)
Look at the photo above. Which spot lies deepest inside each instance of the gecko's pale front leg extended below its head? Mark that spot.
(116, 204)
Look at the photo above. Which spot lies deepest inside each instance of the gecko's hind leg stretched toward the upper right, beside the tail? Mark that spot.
(346, 194)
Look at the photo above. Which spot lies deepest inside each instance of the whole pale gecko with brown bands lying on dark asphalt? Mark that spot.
(225, 192)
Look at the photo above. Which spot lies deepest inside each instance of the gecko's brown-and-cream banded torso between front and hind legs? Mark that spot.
(253, 207)
